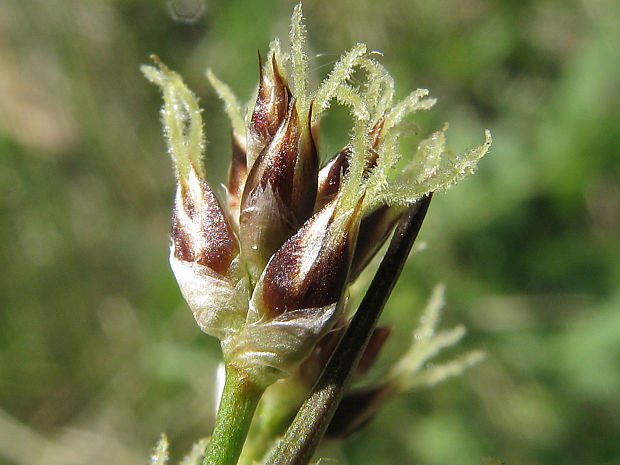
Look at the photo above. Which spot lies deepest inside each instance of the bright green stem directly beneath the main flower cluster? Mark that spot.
(239, 400)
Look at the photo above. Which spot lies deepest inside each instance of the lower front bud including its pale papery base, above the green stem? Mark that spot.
(299, 295)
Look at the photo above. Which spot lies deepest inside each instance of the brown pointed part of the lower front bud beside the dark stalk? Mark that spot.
(312, 267)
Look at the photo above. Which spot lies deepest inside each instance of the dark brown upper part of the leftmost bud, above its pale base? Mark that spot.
(201, 232)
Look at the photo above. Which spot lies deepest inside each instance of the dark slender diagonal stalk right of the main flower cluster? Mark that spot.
(303, 436)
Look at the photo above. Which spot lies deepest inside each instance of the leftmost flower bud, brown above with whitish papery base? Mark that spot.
(204, 257)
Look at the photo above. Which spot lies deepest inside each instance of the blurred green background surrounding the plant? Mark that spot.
(98, 352)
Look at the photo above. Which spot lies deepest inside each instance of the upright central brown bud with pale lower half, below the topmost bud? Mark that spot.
(279, 192)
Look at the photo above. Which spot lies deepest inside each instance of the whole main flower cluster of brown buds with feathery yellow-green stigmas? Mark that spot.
(266, 268)
